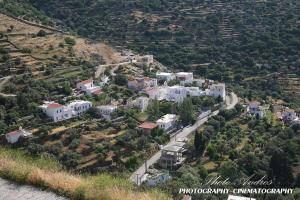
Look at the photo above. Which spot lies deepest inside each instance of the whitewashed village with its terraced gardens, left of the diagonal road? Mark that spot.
(107, 107)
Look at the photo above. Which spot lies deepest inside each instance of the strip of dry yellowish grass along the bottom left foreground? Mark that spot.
(47, 173)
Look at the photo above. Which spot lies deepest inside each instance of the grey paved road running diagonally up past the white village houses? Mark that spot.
(181, 136)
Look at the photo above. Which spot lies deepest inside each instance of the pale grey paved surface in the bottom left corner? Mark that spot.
(11, 191)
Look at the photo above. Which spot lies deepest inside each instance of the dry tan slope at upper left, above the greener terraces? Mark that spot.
(26, 47)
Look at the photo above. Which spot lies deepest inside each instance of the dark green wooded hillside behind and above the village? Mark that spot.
(238, 39)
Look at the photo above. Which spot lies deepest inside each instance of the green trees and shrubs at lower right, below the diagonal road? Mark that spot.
(237, 147)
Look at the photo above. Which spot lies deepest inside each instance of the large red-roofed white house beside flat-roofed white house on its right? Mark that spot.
(55, 111)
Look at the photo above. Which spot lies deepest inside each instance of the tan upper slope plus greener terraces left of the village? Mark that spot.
(39, 63)
